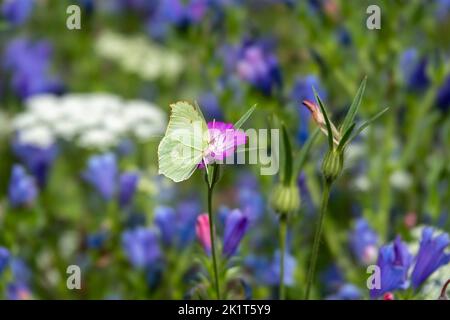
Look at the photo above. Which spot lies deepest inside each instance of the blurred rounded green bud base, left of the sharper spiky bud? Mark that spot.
(285, 199)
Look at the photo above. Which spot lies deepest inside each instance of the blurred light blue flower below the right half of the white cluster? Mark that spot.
(101, 173)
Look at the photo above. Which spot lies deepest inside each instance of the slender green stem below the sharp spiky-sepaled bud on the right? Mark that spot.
(317, 237)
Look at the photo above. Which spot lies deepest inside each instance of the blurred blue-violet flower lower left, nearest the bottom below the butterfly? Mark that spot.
(141, 246)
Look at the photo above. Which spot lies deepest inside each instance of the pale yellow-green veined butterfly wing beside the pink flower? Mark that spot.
(184, 144)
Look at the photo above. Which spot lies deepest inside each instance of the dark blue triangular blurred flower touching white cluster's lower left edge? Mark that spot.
(38, 160)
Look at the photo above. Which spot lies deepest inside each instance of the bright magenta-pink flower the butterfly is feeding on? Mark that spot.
(223, 141)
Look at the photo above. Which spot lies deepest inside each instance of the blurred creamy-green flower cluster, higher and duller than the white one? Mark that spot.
(139, 56)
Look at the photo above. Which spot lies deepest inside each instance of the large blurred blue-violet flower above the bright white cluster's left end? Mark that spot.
(29, 64)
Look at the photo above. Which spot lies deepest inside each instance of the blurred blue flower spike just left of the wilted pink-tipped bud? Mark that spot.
(303, 90)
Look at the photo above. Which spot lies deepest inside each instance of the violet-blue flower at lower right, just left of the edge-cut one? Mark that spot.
(394, 261)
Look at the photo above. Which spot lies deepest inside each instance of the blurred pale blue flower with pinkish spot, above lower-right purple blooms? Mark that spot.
(363, 242)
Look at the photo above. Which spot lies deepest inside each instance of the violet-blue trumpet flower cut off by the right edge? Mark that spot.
(431, 256)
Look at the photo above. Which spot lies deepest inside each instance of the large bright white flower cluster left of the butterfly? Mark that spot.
(93, 121)
